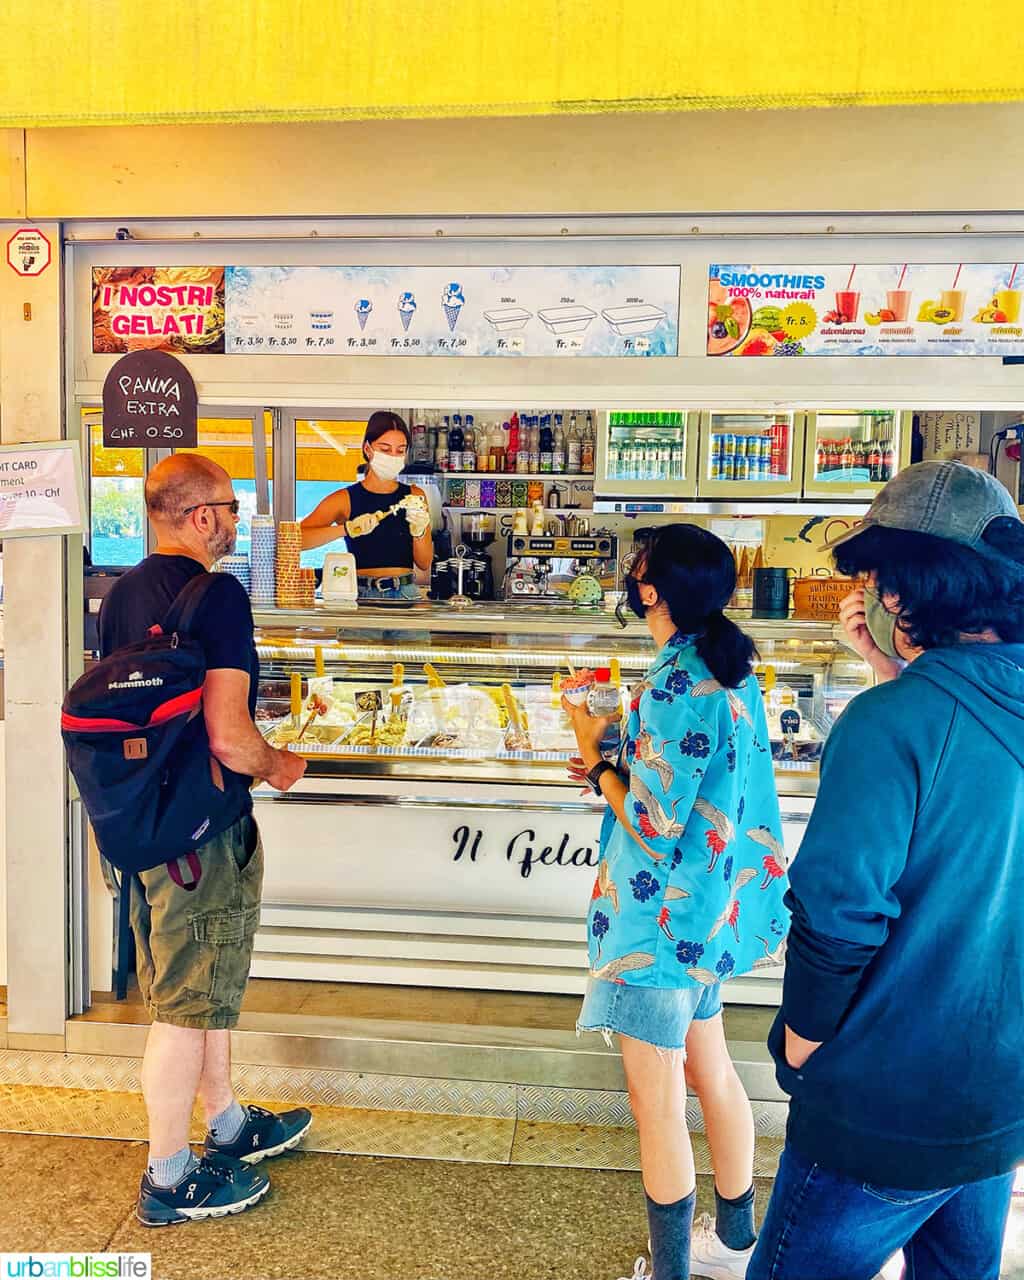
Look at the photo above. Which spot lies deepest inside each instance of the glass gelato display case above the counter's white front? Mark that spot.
(432, 693)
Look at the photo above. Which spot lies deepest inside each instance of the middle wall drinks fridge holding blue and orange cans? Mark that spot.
(751, 455)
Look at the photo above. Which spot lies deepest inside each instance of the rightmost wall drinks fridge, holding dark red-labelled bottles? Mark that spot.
(853, 454)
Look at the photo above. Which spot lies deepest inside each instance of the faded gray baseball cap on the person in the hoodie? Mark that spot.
(945, 500)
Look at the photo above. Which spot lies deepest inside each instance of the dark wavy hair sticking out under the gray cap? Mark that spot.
(945, 589)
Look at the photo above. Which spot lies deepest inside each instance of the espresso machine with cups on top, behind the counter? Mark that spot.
(573, 572)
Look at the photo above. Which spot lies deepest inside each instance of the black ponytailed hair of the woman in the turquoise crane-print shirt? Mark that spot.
(696, 575)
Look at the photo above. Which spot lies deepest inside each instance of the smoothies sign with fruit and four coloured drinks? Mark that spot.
(907, 309)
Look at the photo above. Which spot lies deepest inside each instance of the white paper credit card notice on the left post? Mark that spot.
(40, 490)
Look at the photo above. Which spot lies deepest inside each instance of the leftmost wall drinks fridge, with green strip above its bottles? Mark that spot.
(648, 454)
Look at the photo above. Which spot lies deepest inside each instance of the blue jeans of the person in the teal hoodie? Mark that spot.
(825, 1227)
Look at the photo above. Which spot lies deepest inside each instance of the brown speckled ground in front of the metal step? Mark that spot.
(350, 1218)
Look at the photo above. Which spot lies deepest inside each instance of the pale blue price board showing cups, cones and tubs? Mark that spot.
(604, 312)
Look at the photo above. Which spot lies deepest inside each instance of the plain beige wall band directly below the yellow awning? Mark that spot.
(840, 161)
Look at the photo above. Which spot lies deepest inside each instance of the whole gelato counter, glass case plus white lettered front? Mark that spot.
(437, 839)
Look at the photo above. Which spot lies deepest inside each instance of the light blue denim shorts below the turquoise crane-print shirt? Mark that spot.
(656, 1016)
